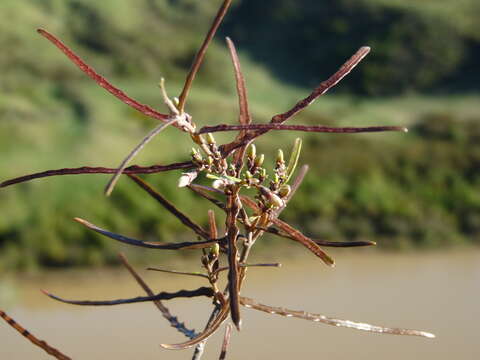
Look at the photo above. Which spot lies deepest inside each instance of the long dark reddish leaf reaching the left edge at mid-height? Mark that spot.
(134, 169)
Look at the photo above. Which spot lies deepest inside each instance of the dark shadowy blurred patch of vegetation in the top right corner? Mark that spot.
(428, 45)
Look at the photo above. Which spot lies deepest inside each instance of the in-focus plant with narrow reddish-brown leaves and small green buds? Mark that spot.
(233, 167)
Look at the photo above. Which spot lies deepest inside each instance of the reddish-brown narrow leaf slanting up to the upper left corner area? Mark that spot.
(100, 80)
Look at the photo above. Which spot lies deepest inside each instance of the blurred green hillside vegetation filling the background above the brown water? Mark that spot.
(415, 189)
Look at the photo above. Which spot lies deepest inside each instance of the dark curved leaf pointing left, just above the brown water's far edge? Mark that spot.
(145, 244)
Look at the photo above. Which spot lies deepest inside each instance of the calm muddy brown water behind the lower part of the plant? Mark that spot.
(436, 292)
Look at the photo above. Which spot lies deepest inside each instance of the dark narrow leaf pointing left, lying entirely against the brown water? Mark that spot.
(202, 291)
